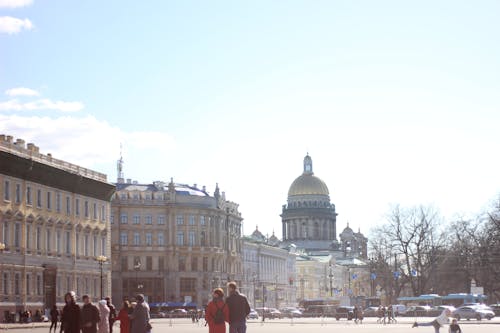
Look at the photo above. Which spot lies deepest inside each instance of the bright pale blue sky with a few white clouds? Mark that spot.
(397, 102)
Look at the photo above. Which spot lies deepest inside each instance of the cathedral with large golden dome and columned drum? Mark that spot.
(309, 219)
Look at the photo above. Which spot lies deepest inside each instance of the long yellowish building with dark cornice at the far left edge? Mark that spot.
(54, 223)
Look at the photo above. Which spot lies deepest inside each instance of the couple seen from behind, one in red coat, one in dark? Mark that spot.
(234, 310)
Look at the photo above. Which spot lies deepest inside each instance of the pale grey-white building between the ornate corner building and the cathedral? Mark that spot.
(269, 272)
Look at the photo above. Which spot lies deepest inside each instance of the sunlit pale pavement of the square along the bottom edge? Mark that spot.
(369, 325)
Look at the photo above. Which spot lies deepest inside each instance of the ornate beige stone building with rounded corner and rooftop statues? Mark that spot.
(173, 242)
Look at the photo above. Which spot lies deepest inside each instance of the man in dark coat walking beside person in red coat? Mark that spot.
(238, 309)
